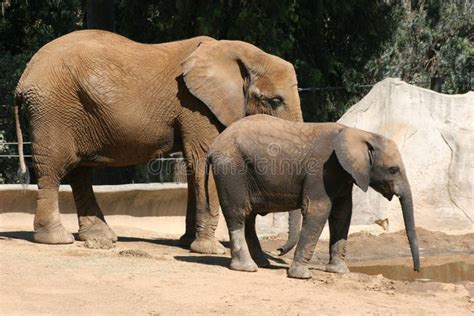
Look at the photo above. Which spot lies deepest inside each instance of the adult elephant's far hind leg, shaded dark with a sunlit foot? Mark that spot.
(92, 224)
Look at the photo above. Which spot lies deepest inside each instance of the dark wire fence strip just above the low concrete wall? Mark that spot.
(161, 170)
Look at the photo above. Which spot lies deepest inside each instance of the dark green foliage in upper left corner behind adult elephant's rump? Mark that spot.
(24, 28)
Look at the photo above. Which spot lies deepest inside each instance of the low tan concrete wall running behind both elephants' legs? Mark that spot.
(159, 206)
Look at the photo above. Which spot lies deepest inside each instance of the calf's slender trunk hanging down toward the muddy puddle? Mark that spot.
(406, 203)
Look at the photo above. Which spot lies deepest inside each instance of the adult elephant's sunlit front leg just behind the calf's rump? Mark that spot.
(207, 216)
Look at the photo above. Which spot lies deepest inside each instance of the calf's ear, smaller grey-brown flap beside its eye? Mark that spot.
(352, 151)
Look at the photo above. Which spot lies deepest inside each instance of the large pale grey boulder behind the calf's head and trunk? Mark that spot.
(435, 135)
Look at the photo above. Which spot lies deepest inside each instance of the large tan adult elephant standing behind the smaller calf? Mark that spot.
(97, 99)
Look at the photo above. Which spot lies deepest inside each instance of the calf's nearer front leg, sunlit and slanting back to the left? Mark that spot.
(315, 215)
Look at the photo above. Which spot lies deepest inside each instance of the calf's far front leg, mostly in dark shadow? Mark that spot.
(339, 222)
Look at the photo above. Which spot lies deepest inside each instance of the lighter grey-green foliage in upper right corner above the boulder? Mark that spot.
(431, 41)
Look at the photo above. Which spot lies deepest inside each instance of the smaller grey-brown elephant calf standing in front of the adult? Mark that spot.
(263, 164)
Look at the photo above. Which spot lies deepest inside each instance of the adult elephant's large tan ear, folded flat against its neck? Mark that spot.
(215, 74)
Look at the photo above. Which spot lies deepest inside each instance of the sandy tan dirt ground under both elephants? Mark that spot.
(149, 273)
